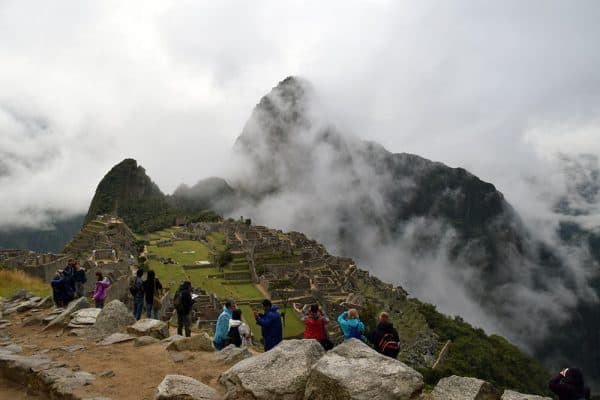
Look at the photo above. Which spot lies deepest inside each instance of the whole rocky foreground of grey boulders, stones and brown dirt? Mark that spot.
(80, 353)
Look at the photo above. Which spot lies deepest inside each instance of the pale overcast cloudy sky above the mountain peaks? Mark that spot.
(498, 88)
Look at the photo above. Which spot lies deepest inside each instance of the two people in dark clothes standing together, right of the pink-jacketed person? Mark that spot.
(146, 293)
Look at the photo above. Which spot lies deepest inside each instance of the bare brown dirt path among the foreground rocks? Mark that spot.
(137, 370)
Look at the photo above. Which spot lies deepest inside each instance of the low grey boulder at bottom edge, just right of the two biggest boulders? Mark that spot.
(460, 388)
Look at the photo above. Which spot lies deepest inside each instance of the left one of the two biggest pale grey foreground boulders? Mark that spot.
(280, 373)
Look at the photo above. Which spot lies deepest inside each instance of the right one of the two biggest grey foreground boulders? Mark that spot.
(353, 370)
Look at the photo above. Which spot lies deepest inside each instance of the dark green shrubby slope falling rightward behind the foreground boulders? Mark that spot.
(491, 358)
